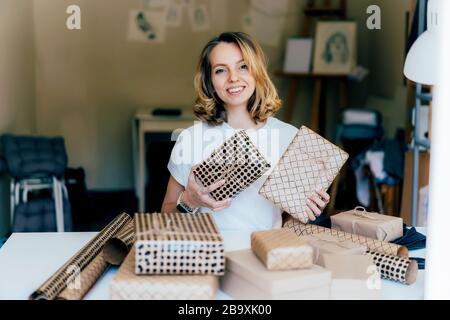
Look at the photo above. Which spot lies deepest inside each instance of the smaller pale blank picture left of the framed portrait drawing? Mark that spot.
(298, 55)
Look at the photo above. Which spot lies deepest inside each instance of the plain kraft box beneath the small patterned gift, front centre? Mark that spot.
(247, 278)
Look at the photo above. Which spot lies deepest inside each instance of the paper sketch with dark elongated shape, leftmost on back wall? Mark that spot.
(147, 26)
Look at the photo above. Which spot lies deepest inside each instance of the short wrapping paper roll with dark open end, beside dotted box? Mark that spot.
(117, 248)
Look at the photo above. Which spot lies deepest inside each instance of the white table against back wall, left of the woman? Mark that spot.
(142, 123)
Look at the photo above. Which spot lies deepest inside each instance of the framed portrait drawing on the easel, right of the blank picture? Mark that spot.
(335, 47)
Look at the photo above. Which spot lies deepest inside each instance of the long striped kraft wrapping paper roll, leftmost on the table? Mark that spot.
(78, 263)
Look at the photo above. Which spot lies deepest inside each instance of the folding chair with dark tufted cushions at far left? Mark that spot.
(36, 166)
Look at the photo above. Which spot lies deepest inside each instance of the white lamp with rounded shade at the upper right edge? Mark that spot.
(420, 61)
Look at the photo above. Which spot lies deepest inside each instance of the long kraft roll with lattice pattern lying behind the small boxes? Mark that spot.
(372, 244)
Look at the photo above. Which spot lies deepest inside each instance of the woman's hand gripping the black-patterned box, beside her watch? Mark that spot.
(196, 195)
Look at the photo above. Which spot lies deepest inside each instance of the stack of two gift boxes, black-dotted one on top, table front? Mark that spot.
(175, 257)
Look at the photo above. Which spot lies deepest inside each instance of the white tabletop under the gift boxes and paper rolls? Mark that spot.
(28, 259)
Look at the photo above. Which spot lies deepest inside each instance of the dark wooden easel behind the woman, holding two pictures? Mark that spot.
(317, 118)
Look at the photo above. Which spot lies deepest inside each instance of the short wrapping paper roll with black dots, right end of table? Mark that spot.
(394, 268)
